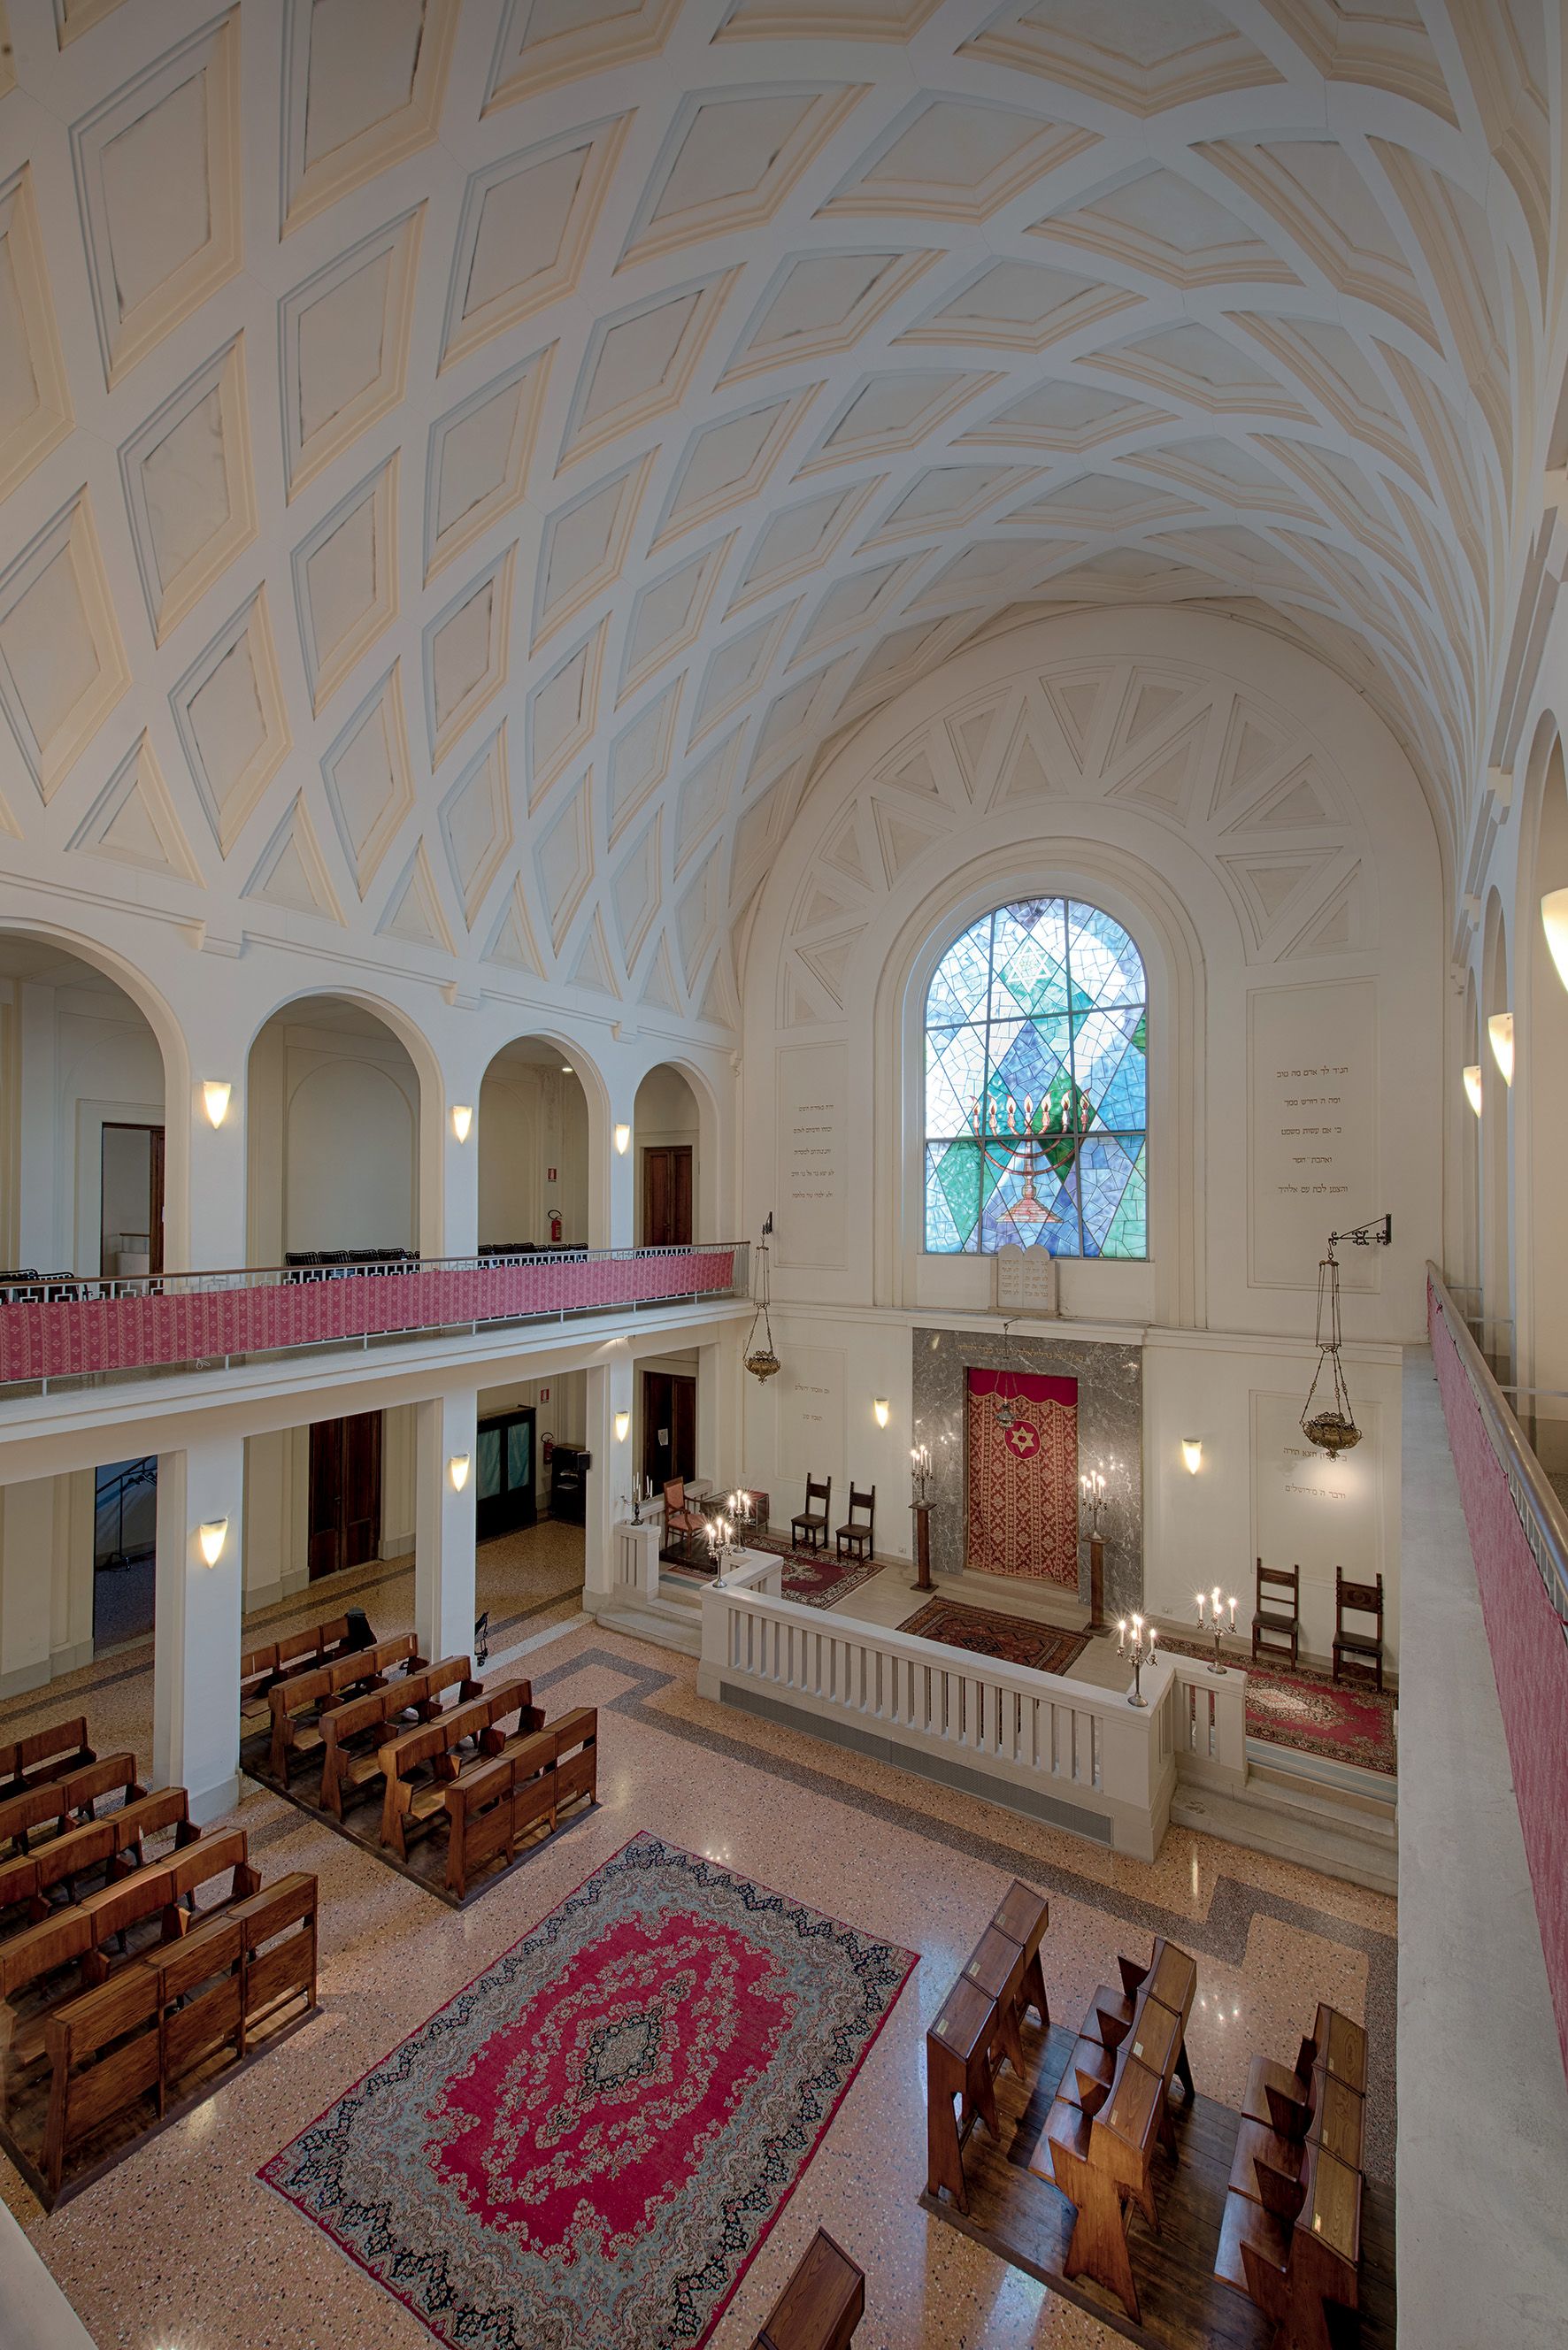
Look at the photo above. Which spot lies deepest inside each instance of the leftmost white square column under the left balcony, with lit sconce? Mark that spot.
(196, 1630)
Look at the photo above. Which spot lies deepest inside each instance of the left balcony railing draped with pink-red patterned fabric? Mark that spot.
(67, 1331)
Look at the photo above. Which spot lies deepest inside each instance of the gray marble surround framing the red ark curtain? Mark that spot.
(1111, 1439)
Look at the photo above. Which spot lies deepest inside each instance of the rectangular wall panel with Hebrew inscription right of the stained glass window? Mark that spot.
(1313, 1129)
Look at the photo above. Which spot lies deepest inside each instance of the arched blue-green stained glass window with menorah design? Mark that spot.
(1038, 1087)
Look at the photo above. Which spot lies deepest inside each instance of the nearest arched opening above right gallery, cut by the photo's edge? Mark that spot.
(1543, 1077)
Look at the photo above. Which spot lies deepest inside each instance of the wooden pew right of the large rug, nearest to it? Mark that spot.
(981, 2025)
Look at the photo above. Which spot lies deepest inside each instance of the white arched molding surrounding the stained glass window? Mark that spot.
(1158, 922)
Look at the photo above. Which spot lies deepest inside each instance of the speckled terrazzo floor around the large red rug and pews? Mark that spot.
(182, 2250)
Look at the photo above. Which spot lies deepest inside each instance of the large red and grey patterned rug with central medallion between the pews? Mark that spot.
(589, 2144)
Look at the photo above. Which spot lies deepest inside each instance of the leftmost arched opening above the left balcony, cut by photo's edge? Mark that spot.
(86, 1092)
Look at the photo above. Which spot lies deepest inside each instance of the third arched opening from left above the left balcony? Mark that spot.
(535, 1148)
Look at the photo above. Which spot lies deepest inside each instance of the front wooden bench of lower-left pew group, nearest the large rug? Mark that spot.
(154, 2022)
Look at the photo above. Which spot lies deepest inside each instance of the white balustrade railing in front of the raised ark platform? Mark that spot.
(1040, 1743)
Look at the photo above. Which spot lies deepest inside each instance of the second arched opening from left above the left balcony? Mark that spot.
(333, 1132)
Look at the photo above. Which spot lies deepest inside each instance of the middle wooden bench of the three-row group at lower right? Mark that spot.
(1113, 2111)
